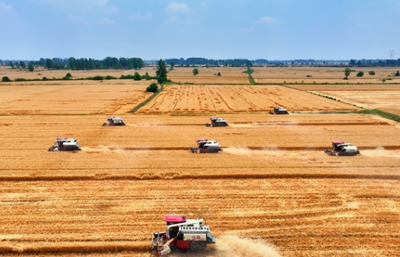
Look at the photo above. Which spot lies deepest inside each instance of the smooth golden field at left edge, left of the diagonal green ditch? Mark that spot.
(62, 97)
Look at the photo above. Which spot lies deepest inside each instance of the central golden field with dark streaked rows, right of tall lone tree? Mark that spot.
(222, 99)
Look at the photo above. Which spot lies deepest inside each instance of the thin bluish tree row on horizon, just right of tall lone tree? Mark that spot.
(198, 61)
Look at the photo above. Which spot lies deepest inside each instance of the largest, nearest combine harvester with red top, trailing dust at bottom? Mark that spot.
(183, 234)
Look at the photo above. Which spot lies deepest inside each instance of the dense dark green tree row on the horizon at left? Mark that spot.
(90, 64)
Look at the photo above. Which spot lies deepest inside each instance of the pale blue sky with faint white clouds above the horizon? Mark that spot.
(217, 29)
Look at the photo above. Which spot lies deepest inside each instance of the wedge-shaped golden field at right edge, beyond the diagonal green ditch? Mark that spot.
(383, 97)
